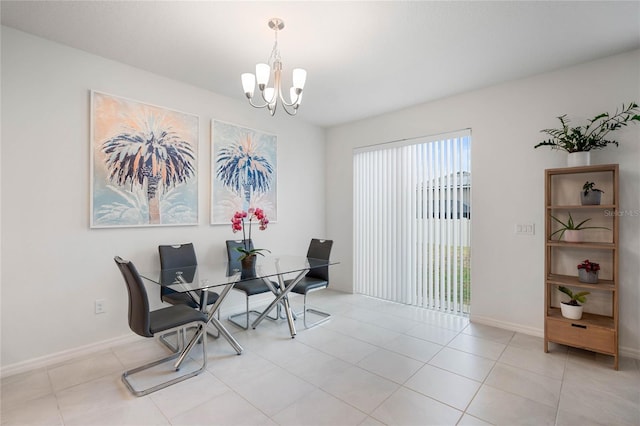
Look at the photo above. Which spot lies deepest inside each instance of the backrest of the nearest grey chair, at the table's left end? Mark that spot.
(139, 318)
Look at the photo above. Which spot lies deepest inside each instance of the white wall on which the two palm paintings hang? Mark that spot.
(53, 265)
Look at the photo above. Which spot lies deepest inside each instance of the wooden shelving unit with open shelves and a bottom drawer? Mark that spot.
(598, 329)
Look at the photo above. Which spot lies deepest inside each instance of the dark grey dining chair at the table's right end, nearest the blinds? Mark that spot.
(315, 279)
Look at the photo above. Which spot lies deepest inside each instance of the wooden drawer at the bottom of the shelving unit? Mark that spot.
(581, 335)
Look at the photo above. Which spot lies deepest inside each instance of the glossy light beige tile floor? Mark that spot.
(374, 363)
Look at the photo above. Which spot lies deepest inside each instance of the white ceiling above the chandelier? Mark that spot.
(363, 58)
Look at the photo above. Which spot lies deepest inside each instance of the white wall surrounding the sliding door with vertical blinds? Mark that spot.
(508, 182)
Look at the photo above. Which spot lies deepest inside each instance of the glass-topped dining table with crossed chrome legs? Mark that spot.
(220, 278)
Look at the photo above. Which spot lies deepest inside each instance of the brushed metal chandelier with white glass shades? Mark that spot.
(271, 95)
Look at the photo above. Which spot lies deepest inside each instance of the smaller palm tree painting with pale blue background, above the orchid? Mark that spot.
(244, 172)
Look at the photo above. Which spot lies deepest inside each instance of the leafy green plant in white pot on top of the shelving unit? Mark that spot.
(584, 139)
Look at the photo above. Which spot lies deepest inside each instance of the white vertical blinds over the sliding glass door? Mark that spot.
(412, 220)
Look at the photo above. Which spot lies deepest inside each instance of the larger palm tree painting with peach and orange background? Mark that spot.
(144, 168)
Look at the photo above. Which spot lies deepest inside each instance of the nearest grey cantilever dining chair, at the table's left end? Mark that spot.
(147, 323)
